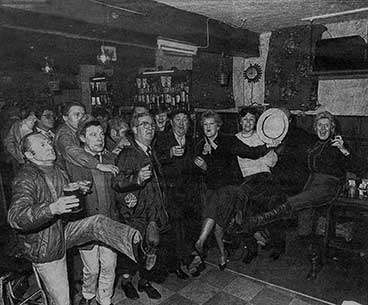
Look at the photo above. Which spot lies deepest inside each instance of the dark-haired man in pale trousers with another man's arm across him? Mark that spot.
(99, 261)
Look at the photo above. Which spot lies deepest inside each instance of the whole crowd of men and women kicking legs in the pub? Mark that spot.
(149, 179)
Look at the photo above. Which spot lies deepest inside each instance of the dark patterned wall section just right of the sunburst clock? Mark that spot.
(287, 79)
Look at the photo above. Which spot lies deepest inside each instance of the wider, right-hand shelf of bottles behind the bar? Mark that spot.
(170, 89)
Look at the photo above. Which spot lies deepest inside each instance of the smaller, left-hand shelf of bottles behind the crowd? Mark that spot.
(101, 91)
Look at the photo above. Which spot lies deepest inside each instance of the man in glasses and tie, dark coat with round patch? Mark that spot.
(140, 200)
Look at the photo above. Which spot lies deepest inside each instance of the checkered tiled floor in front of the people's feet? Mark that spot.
(215, 287)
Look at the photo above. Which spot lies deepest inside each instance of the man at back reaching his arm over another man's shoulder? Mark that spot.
(68, 146)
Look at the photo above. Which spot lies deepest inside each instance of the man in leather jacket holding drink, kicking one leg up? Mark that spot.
(36, 210)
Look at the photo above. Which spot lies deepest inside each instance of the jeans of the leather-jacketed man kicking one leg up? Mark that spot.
(100, 228)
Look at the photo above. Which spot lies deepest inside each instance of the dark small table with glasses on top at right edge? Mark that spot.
(345, 209)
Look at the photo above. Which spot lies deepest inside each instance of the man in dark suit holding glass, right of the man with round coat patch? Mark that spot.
(175, 151)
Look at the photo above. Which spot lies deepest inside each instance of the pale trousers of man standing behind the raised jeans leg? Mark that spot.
(99, 265)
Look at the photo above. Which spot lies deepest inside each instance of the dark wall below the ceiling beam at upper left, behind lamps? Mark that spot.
(23, 56)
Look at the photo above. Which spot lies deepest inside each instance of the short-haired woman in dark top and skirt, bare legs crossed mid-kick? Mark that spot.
(216, 156)
